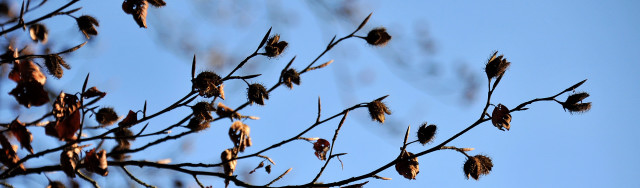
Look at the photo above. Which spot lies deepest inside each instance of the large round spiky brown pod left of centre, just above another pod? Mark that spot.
(207, 84)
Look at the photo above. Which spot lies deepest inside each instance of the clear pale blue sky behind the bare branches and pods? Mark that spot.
(552, 45)
